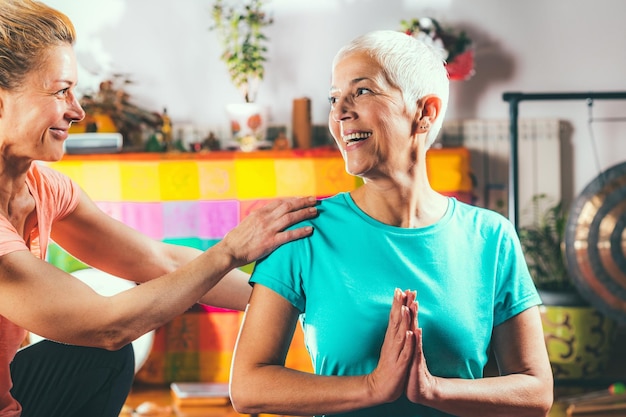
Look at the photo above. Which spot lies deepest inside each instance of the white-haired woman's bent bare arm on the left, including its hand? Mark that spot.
(261, 383)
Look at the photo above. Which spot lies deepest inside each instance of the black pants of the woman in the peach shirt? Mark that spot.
(56, 380)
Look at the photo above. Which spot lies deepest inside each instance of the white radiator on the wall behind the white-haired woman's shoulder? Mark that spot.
(539, 164)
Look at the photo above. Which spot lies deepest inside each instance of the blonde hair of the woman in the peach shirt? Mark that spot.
(27, 30)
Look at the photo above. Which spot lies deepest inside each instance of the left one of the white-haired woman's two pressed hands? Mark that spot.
(388, 381)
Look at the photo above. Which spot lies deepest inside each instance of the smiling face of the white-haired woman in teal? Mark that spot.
(368, 118)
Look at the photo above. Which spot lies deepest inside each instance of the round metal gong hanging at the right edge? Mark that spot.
(595, 242)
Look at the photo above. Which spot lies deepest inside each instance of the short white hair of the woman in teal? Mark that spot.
(409, 64)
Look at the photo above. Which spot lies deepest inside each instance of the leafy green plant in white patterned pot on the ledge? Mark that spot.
(239, 26)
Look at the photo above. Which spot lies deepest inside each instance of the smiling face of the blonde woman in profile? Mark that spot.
(35, 118)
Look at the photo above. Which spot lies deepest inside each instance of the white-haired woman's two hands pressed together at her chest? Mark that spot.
(402, 368)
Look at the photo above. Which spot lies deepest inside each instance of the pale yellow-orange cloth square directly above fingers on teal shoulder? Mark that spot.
(295, 177)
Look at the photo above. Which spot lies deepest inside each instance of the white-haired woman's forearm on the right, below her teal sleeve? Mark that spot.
(511, 395)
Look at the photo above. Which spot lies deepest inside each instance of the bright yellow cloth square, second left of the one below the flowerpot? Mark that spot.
(179, 180)
